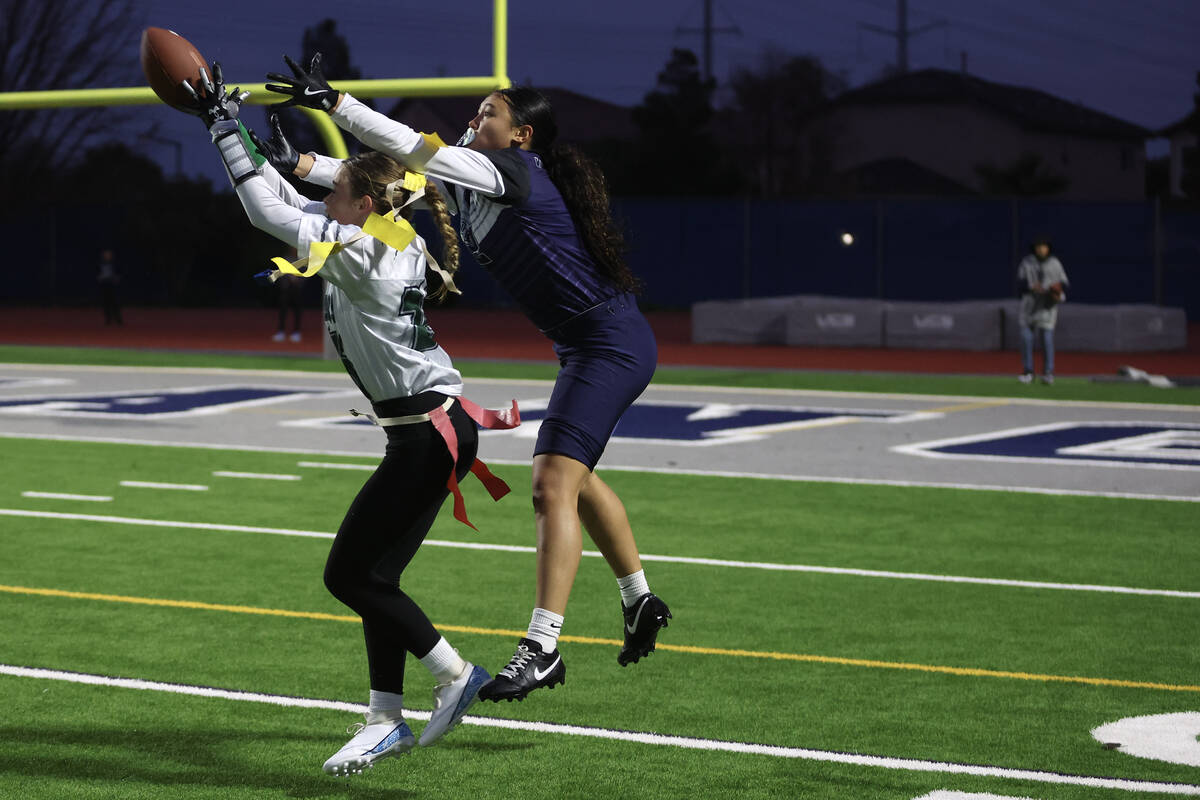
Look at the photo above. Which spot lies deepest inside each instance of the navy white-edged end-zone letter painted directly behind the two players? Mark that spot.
(685, 424)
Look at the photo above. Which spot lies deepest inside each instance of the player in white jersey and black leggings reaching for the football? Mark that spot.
(374, 310)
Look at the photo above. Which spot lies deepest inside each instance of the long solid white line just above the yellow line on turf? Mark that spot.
(646, 557)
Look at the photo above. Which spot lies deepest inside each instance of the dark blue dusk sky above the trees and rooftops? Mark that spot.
(1135, 59)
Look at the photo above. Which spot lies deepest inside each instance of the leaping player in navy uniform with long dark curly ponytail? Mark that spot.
(536, 215)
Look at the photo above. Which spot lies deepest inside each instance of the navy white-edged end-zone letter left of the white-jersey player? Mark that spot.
(155, 404)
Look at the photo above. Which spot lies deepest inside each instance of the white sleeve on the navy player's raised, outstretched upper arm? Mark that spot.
(467, 169)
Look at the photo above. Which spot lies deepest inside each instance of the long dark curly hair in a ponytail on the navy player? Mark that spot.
(580, 182)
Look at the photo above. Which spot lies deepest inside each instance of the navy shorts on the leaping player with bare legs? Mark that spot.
(608, 357)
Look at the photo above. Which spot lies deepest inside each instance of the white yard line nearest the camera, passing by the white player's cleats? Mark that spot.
(633, 737)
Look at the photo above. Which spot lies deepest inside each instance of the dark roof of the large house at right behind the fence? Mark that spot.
(1030, 109)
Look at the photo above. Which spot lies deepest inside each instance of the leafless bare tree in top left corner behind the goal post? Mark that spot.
(47, 45)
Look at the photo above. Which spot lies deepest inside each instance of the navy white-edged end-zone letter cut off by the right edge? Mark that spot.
(1154, 446)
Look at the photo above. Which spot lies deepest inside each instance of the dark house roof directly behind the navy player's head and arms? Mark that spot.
(580, 118)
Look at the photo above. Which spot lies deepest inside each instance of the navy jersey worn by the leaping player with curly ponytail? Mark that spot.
(527, 240)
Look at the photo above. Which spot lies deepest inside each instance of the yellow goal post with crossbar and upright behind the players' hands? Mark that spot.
(329, 133)
